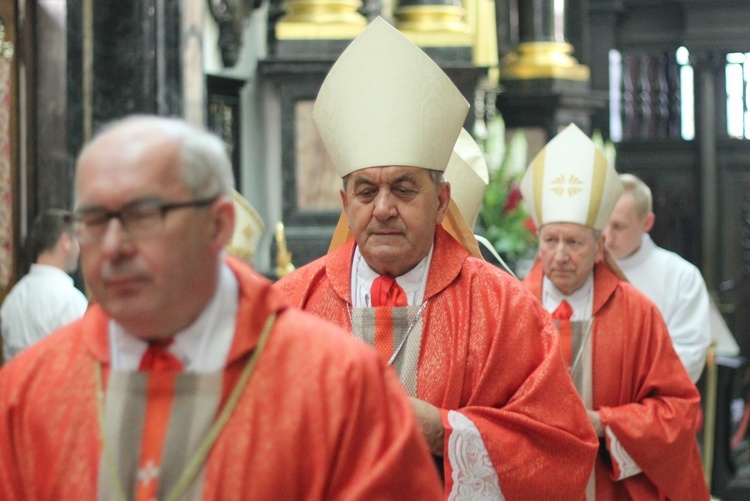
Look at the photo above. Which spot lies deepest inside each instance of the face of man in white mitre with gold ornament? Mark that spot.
(568, 252)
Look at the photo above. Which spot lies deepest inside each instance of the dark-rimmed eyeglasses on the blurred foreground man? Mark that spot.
(140, 219)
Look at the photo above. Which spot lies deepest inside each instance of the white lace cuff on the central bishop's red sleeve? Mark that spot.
(474, 476)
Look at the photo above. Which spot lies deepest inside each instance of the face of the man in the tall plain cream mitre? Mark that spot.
(392, 213)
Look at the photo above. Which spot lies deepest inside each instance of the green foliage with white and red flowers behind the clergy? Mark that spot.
(504, 220)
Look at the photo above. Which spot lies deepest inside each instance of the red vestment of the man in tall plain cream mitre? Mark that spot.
(490, 352)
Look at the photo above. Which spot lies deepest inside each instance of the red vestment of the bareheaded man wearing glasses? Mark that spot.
(309, 424)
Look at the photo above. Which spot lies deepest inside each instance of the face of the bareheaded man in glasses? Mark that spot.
(153, 285)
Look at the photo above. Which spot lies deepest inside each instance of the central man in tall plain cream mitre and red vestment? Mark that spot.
(476, 351)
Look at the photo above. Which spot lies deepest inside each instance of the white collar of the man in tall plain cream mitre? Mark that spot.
(413, 281)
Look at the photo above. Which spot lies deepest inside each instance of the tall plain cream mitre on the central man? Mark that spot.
(385, 102)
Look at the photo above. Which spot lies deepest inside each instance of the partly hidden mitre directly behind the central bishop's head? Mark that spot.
(468, 175)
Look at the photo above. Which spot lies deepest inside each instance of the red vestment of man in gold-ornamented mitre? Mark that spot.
(642, 393)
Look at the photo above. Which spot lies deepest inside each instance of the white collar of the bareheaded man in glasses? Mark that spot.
(201, 347)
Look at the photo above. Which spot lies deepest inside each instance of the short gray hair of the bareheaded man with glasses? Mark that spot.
(205, 166)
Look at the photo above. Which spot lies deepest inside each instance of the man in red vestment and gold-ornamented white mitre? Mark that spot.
(615, 344)
